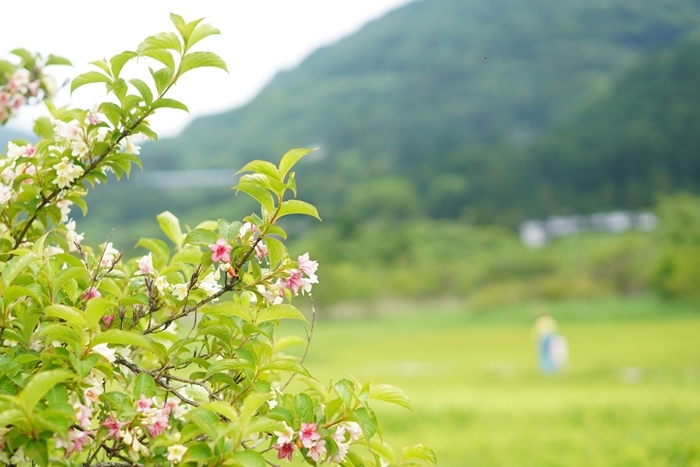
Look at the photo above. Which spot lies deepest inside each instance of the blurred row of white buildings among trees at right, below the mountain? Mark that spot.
(536, 233)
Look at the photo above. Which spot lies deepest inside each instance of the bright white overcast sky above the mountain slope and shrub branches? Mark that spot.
(258, 38)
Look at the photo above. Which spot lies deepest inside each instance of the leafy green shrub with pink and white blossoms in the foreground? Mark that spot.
(174, 357)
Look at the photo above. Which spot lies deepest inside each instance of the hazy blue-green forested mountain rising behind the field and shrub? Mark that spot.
(464, 109)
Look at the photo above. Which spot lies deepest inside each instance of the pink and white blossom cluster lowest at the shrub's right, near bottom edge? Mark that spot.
(309, 439)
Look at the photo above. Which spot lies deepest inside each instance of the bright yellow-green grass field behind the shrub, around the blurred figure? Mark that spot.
(631, 396)
